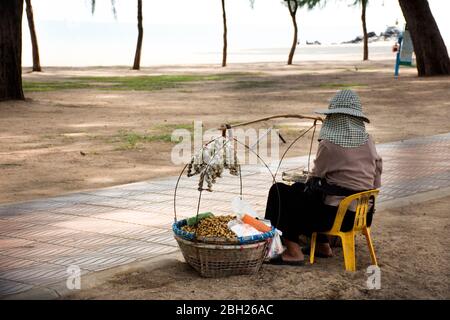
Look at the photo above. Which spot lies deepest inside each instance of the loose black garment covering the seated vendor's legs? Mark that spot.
(296, 213)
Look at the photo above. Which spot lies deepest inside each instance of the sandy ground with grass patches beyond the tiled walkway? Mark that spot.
(66, 140)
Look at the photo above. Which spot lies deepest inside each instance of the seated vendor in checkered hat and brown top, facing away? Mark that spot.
(346, 163)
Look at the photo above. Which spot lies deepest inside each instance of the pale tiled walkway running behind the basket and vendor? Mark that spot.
(114, 226)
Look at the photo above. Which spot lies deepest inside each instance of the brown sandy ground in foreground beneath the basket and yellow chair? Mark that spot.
(411, 245)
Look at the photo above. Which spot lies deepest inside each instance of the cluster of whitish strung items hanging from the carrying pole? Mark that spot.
(211, 161)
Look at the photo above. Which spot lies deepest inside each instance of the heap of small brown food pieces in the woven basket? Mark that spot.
(214, 227)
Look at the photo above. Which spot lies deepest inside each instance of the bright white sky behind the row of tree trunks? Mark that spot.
(180, 31)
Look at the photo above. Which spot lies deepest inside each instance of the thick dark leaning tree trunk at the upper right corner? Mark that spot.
(431, 54)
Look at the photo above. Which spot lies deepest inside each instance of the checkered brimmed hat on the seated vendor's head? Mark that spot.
(345, 102)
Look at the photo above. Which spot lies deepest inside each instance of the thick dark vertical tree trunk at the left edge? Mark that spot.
(11, 49)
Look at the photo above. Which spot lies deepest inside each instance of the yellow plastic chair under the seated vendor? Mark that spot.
(348, 238)
